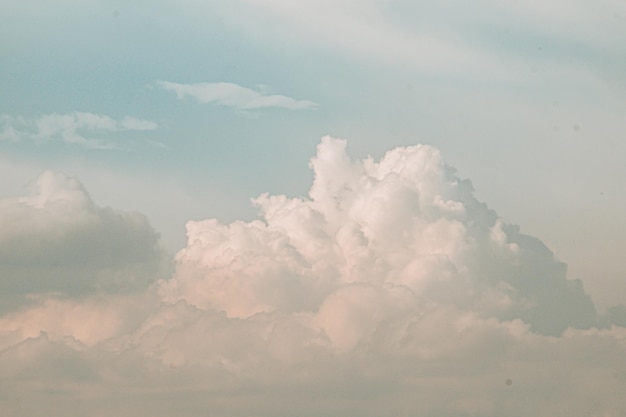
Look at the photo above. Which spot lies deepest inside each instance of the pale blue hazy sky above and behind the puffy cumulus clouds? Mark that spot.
(185, 110)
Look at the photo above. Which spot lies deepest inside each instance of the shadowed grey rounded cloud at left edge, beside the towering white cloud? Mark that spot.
(57, 240)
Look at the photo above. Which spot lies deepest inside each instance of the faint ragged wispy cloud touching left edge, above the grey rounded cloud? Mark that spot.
(81, 128)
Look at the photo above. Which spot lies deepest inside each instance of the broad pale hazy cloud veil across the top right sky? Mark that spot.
(482, 41)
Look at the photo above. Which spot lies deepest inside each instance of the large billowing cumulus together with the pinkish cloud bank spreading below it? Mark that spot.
(389, 290)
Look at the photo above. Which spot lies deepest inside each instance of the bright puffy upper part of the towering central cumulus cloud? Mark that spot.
(402, 232)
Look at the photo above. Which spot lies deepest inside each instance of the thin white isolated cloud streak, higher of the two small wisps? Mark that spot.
(233, 95)
